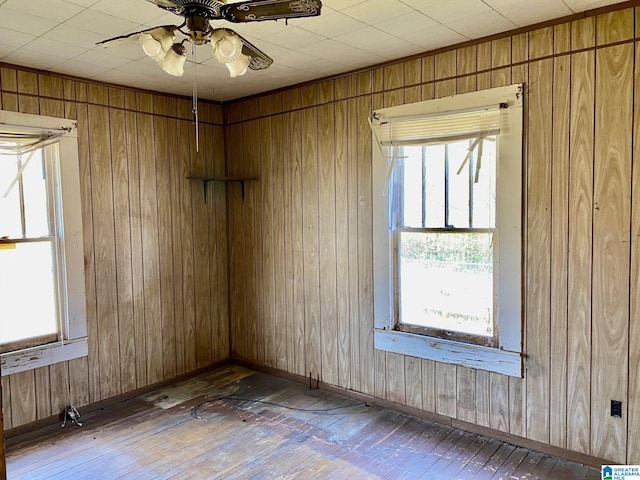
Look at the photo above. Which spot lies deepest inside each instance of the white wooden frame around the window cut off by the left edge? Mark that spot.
(71, 251)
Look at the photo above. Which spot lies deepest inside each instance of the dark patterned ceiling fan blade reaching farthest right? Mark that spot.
(260, 10)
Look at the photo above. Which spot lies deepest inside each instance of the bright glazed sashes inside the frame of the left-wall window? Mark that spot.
(30, 284)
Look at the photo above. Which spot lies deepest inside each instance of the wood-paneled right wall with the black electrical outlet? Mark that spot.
(301, 241)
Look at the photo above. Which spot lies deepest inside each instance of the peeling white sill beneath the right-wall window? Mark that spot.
(449, 351)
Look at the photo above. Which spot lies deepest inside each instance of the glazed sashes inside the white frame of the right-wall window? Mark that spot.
(444, 220)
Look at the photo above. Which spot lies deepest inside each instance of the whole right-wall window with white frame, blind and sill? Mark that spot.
(447, 229)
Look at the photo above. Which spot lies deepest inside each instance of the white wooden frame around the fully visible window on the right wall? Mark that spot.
(506, 356)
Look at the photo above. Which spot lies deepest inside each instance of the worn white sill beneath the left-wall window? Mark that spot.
(43, 355)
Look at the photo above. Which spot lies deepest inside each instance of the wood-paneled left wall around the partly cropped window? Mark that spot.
(155, 252)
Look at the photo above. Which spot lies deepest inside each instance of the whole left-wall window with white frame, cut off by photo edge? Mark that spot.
(42, 304)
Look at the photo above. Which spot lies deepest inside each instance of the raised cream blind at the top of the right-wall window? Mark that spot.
(437, 127)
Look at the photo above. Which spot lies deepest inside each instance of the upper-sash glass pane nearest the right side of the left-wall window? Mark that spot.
(35, 195)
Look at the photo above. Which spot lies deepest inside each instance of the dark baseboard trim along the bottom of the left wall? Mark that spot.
(92, 407)
